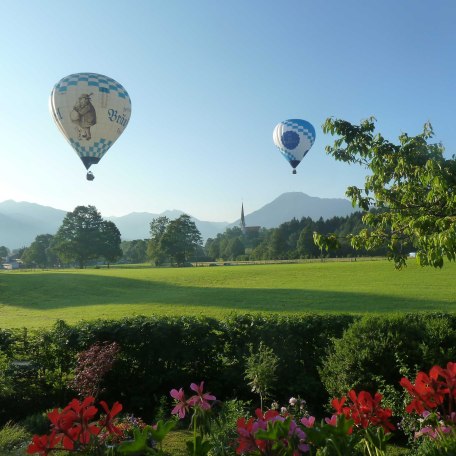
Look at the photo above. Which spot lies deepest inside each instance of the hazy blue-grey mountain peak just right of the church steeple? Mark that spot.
(297, 205)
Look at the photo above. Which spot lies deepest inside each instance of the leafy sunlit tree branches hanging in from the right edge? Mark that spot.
(412, 186)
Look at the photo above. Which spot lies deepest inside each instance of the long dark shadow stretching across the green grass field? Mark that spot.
(61, 290)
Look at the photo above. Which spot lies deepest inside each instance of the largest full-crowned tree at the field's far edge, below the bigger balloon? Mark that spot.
(84, 236)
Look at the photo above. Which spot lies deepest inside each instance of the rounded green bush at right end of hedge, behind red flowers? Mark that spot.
(376, 349)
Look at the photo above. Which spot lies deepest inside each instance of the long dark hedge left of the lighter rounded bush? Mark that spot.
(156, 352)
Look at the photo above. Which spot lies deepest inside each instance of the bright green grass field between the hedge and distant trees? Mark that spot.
(39, 298)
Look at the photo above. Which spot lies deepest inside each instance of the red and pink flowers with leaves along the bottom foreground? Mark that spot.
(359, 425)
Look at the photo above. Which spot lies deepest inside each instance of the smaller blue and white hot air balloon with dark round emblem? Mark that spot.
(294, 138)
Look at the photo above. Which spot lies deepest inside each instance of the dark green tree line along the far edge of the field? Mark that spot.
(85, 238)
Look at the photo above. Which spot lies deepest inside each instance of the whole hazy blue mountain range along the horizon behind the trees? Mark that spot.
(21, 222)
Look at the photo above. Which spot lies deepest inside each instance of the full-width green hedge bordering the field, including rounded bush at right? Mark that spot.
(320, 355)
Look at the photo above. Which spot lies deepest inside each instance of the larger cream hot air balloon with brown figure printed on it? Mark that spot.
(91, 111)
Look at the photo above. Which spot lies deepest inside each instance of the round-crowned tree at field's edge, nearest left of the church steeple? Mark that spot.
(181, 240)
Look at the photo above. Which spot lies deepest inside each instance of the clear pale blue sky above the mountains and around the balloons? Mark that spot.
(209, 80)
